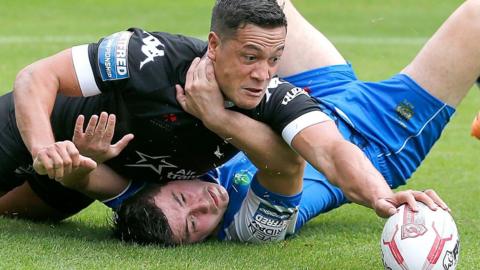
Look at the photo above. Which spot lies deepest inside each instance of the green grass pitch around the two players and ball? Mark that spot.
(378, 37)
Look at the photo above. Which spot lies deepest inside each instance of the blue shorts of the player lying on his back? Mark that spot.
(395, 121)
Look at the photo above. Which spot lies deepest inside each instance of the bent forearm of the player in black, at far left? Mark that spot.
(34, 101)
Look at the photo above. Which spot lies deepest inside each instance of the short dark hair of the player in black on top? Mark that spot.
(230, 15)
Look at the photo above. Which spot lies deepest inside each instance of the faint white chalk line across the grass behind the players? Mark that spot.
(69, 39)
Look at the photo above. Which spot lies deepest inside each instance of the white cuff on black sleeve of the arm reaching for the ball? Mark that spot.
(302, 122)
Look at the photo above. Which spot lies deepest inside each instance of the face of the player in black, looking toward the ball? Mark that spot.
(245, 63)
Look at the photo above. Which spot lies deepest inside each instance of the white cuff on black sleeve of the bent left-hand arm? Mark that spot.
(83, 69)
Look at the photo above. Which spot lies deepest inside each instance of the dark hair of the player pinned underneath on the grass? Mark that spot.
(139, 220)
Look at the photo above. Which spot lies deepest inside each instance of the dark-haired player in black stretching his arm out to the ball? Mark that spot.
(244, 46)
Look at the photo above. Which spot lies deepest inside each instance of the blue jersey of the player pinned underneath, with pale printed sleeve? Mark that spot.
(255, 214)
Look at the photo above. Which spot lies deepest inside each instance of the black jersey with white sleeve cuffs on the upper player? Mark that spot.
(133, 74)
